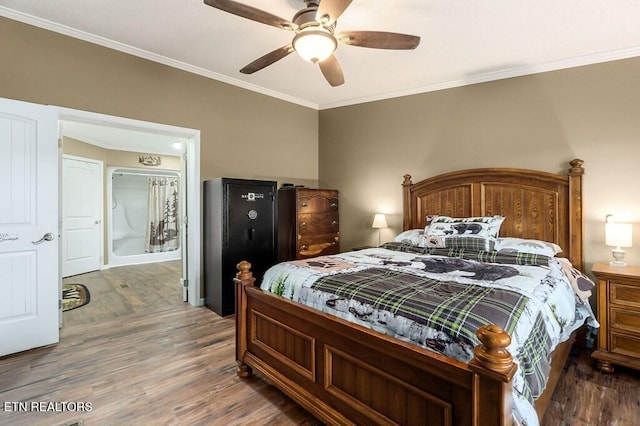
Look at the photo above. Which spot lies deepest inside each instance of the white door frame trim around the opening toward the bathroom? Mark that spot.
(152, 138)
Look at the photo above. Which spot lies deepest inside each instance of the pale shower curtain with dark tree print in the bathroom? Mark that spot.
(162, 230)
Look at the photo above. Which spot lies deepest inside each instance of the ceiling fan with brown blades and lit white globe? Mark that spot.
(315, 38)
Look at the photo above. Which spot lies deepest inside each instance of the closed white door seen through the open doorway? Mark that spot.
(81, 215)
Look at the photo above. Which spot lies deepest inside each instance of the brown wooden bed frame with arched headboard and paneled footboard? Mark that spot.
(343, 373)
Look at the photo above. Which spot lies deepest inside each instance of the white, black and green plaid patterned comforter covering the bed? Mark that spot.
(437, 299)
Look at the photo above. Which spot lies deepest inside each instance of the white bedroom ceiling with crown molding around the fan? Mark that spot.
(463, 41)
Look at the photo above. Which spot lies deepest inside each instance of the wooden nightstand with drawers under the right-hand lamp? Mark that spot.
(619, 316)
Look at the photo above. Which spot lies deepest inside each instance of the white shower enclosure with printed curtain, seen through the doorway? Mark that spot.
(143, 216)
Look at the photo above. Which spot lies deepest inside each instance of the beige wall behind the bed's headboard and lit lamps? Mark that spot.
(540, 122)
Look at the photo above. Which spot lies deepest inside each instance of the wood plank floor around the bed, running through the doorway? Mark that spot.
(140, 355)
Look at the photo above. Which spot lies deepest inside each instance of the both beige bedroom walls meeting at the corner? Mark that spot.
(539, 121)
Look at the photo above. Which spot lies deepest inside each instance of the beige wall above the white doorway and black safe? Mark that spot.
(243, 134)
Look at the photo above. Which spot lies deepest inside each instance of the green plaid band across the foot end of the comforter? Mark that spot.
(454, 308)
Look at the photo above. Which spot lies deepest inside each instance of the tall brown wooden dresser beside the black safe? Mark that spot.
(308, 223)
